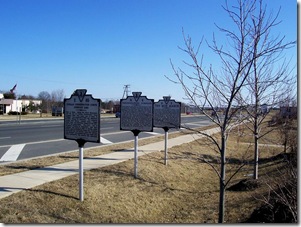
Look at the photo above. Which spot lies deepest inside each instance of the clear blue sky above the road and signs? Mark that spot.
(102, 45)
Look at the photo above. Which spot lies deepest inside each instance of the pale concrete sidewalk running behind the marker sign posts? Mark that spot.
(13, 183)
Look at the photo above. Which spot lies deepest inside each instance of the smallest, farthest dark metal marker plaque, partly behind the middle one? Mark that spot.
(167, 113)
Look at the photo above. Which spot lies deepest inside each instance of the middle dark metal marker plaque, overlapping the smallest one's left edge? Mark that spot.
(136, 113)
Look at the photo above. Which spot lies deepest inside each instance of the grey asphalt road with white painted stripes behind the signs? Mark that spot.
(29, 139)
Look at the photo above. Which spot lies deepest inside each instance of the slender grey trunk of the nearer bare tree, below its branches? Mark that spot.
(222, 181)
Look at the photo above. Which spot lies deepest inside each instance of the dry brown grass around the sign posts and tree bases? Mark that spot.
(184, 191)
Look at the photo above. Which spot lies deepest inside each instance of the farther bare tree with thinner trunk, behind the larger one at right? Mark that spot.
(271, 77)
